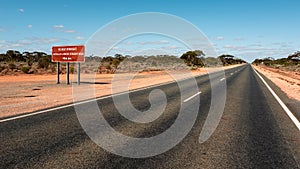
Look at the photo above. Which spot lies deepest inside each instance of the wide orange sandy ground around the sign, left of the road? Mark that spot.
(23, 93)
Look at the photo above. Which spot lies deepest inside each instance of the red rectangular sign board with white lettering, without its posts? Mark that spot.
(68, 53)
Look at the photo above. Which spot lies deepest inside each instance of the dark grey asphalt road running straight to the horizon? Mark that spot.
(254, 132)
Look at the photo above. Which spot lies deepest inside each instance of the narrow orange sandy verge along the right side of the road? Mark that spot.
(287, 81)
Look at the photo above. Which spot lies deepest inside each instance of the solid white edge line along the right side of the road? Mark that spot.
(285, 108)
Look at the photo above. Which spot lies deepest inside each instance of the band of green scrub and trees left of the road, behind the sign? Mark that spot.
(13, 62)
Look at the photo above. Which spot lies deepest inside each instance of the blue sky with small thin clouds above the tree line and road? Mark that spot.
(246, 29)
